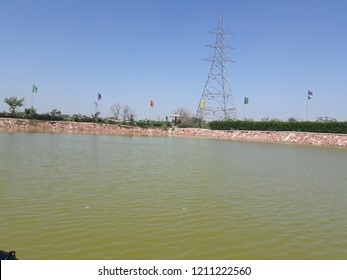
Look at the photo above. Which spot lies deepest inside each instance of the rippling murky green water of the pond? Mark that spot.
(116, 197)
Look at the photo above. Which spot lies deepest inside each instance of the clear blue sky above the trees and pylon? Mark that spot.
(134, 51)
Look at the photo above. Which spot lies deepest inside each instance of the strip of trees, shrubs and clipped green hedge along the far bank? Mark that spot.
(123, 114)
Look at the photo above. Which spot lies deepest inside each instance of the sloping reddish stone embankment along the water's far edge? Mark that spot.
(289, 137)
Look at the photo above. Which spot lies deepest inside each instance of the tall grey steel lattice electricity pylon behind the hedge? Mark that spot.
(217, 102)
